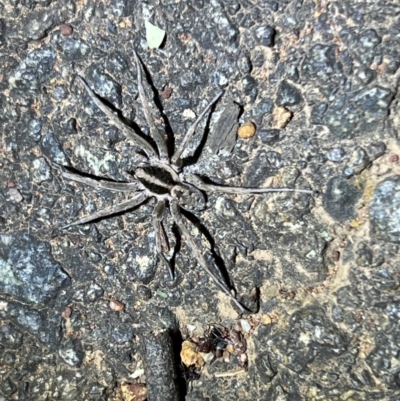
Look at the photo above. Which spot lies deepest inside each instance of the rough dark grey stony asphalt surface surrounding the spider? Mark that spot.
(327, 269)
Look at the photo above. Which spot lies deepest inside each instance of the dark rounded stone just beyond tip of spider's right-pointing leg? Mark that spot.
(340, 199)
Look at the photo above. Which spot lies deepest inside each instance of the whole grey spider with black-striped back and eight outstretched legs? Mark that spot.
(162, 176)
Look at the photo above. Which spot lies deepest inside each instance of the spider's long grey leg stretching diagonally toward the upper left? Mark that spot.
(127, 131)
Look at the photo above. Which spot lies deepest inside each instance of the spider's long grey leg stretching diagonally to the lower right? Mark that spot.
(178, 218)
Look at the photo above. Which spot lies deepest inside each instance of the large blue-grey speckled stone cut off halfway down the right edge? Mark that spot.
(384, 210)
